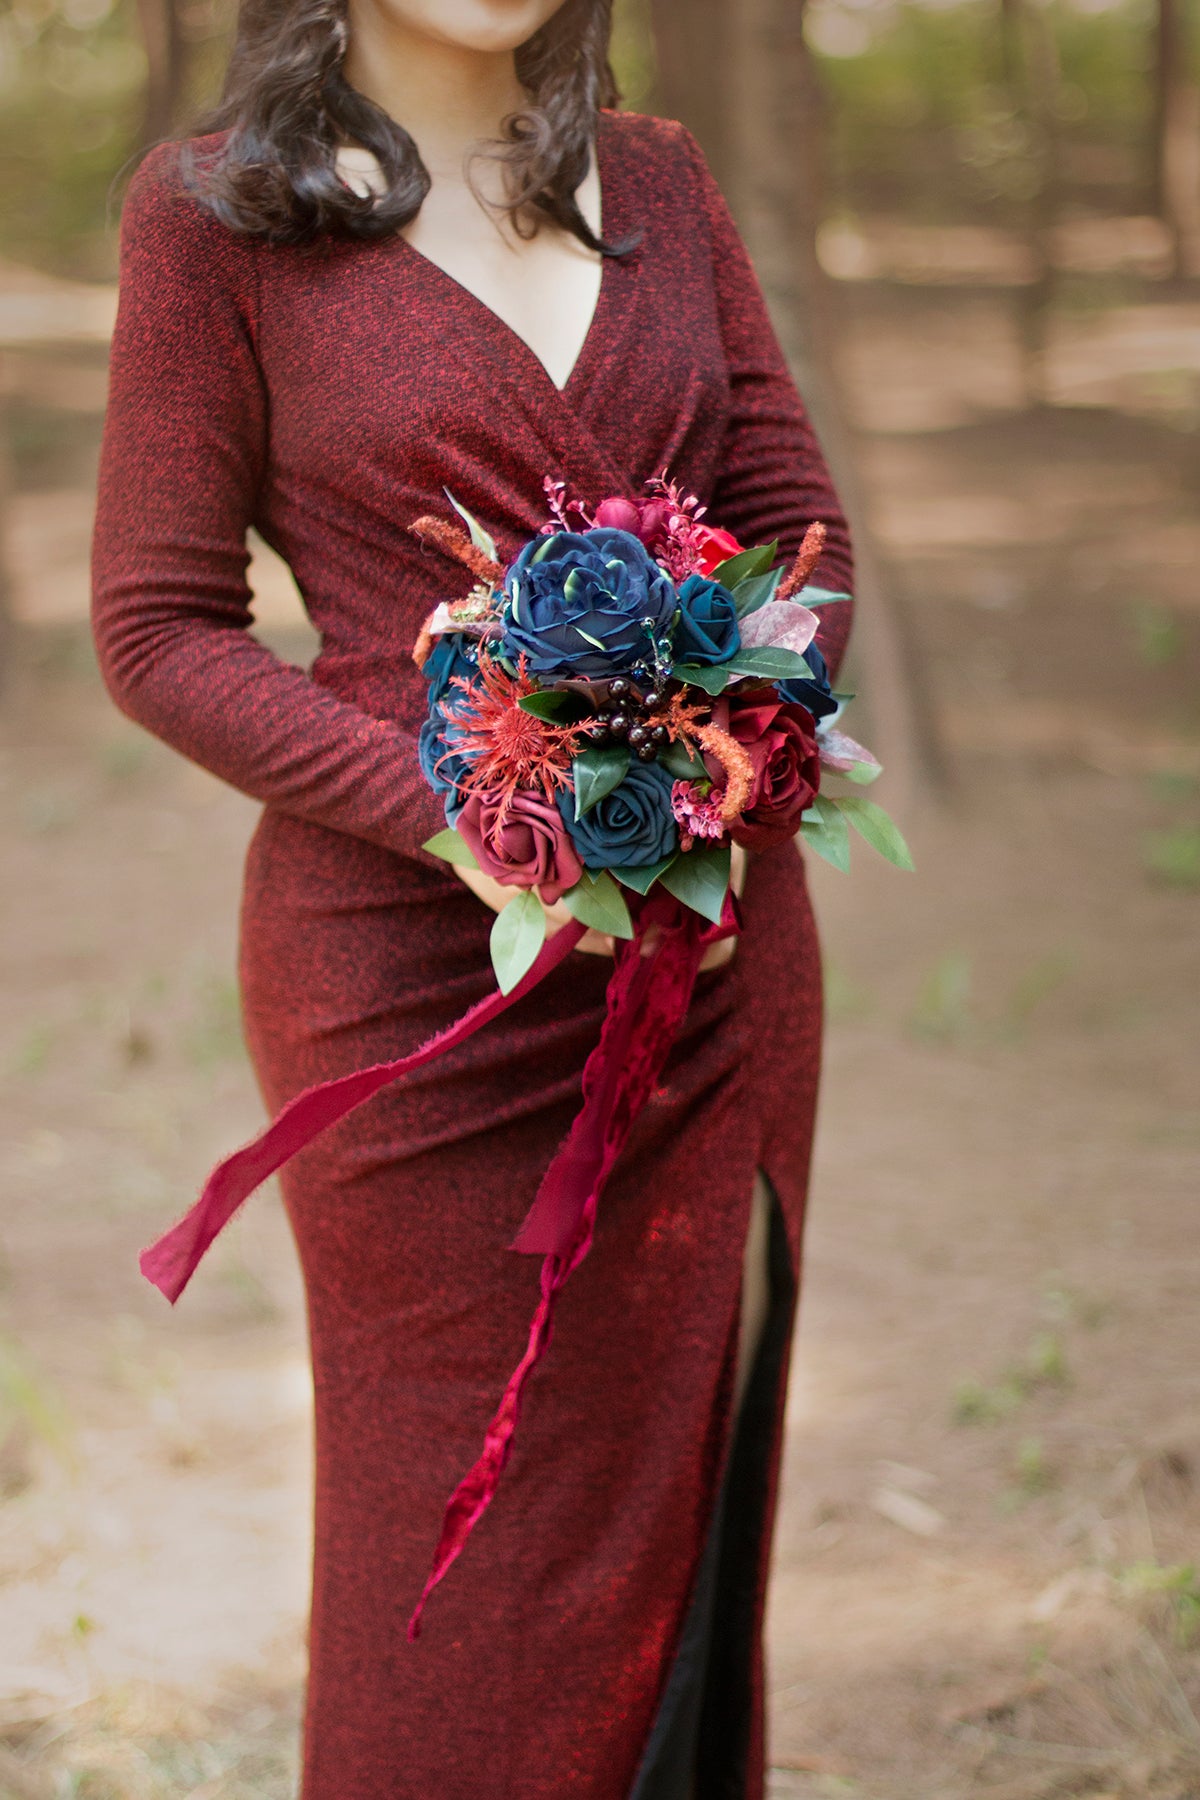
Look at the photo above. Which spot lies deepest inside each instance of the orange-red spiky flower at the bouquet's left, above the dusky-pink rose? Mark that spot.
(510, 748)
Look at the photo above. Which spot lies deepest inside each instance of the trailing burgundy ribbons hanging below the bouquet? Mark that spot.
(647, 1002)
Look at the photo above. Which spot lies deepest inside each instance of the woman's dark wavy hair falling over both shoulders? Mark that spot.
(287, 107)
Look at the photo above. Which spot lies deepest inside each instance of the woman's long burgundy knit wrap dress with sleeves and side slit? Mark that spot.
(604, 1624)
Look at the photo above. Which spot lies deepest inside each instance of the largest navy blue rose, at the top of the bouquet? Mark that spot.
(577, 604)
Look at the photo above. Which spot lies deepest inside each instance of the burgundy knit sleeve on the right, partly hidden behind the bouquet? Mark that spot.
(775, 478)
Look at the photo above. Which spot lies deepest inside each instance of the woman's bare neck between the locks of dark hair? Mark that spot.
(445, 96)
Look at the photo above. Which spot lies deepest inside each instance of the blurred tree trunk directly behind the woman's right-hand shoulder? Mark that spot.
(758, 111)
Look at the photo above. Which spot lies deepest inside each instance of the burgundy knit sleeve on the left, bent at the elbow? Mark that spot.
(183, 463)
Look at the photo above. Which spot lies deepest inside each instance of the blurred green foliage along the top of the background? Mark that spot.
(920, 114)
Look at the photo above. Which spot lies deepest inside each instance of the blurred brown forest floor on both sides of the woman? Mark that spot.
(987, 1574)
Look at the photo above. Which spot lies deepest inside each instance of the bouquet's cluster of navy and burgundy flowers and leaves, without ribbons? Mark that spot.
(625, 701)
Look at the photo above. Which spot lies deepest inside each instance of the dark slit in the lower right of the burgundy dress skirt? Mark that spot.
(701, 1740)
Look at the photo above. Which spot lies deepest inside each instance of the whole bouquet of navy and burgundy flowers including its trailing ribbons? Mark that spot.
(614, 710)
